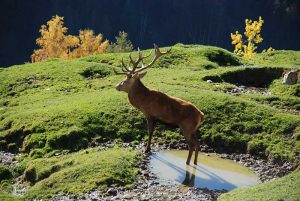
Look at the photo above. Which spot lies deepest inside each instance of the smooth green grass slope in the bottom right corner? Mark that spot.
(286, 188)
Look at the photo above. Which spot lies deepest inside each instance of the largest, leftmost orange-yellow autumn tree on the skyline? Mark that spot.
(54, 42)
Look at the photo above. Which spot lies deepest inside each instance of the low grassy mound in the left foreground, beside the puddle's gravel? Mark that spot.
(81, 172)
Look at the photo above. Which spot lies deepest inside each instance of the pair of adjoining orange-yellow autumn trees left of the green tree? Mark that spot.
(55, 43)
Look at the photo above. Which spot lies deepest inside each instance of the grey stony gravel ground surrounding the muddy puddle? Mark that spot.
(148, 187)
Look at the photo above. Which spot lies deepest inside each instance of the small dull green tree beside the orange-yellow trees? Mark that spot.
(122, 44)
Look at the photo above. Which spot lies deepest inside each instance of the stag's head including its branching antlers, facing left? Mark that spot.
(132, 72)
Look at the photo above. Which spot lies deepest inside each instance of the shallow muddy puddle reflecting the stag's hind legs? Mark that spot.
(212, 172)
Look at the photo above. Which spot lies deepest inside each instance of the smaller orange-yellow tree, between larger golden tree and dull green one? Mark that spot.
(89, 44)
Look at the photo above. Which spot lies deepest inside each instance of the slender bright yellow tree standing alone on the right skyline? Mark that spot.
(252, 33)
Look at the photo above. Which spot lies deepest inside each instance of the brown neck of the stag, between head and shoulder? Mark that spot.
(137, 94)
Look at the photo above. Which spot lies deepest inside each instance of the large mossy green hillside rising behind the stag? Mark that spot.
(66, 105)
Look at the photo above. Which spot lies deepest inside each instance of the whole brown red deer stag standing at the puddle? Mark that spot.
(159, 106)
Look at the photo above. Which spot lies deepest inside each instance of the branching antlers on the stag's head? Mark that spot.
(127, 70)
